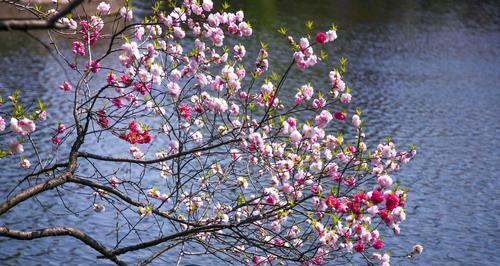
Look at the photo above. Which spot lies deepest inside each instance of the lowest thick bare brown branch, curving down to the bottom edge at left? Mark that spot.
(61, 231)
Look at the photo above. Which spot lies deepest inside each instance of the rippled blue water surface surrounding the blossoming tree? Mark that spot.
(423, 72)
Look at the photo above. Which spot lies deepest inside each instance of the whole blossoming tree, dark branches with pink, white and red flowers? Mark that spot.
(218, 163)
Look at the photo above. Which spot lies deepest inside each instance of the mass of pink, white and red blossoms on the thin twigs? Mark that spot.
(294, 176)
